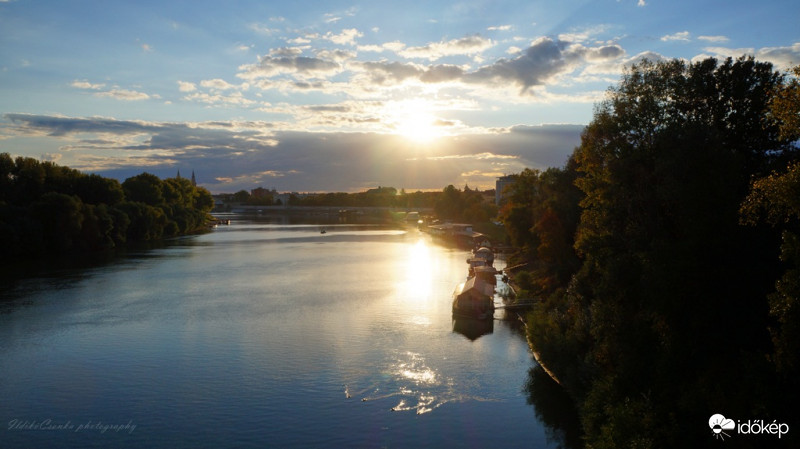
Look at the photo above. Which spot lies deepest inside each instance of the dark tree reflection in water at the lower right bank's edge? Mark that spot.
(554, 408)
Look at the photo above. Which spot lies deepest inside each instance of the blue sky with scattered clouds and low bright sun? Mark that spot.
(312, 96)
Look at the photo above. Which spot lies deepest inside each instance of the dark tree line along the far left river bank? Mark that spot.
(50, 209)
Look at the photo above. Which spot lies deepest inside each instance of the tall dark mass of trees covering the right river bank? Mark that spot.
(667, 253)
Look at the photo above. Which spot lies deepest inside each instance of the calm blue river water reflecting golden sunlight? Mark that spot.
(262, 334)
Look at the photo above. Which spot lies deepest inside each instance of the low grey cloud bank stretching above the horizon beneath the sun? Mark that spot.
(229, 156)
